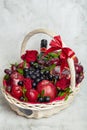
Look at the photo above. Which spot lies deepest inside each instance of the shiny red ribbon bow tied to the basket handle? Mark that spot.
(66, 52)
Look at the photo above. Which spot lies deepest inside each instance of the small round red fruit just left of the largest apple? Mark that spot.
(32, 95)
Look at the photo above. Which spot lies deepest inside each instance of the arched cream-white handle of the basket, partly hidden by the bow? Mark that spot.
(51, 34)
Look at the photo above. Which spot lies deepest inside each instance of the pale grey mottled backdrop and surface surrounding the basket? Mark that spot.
(65, 17)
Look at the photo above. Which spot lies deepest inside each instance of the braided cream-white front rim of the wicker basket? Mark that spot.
(36, 106)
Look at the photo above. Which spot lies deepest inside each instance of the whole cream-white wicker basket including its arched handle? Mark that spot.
(41, 109)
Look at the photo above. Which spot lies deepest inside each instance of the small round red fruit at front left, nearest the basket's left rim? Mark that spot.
(16, 91)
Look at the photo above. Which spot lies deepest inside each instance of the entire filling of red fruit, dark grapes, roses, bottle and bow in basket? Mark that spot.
(43, 77)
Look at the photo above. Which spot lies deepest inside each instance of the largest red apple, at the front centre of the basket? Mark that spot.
(48, 88)
